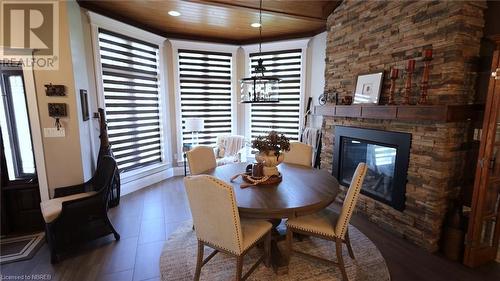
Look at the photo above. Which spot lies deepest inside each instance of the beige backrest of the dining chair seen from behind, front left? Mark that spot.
(215, 213)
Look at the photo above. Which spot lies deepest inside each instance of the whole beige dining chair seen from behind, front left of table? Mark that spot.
(218, 225)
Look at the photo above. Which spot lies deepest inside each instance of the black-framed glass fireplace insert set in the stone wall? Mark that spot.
(387, 155)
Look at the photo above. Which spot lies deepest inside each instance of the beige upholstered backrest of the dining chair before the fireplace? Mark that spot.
(350, 200)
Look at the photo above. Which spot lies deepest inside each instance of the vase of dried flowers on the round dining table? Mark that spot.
(271, 148)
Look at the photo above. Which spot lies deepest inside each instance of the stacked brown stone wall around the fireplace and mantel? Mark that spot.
(365, 36)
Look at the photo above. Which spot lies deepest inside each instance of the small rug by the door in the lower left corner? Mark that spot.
(20, 248)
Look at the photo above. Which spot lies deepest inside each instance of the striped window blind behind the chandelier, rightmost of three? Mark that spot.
(282, 117)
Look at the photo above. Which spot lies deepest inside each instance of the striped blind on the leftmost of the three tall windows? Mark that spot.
(131, 95)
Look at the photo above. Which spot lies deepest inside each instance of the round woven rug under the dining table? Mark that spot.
(178, 260)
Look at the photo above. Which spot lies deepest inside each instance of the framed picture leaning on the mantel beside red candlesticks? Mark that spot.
(368, 88)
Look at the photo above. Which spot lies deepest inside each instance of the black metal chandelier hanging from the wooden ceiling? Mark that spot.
(260, 88)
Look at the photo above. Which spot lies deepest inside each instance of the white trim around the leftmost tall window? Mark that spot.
(97, 21)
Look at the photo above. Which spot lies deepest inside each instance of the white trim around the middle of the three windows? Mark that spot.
(207, 47)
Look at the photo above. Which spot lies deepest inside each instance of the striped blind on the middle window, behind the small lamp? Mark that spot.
(205, 92)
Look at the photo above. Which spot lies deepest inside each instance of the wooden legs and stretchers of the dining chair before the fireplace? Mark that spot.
(338, 248)
